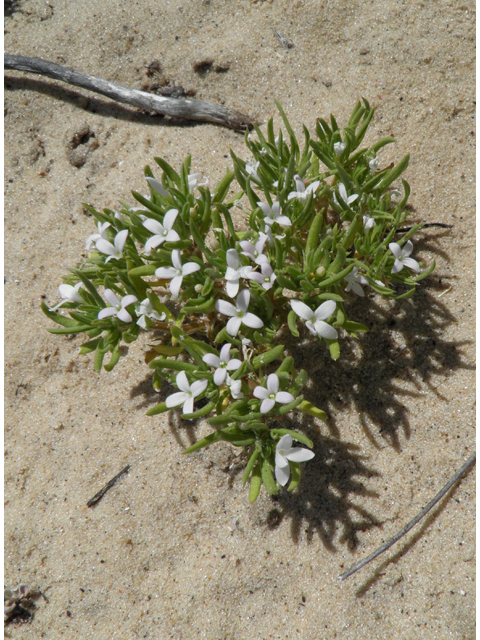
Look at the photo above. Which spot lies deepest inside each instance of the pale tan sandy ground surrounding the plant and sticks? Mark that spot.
(175, 550)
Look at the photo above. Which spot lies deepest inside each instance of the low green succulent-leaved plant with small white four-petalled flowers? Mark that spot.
(319, 224)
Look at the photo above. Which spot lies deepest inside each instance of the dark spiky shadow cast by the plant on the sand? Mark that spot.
(400, 356)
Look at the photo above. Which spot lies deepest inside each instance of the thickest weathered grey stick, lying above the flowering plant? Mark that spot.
(174, 107)
